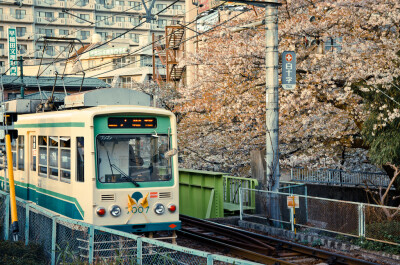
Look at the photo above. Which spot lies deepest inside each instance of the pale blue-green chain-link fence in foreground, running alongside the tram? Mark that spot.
(67, 241)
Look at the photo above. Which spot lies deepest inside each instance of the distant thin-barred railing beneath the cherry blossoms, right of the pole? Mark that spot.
(339, 177)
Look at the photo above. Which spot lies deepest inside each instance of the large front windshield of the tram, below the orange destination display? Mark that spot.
(132, 158)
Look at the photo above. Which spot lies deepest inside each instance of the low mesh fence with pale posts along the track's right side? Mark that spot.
(324, 216)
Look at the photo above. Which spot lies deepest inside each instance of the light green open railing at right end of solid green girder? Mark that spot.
(231, 193)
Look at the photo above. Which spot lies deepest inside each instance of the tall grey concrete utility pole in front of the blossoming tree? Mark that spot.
(272, 95)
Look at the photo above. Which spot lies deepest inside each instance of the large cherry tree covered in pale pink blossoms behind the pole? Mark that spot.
(223, 110)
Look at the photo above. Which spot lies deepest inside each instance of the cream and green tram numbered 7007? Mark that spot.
(107, 165)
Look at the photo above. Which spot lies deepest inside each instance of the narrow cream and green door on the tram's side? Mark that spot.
(32, 175)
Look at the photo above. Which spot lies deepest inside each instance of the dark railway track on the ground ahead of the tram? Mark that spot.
(259, 248)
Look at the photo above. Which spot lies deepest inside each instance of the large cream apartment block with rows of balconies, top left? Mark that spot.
(79, 19)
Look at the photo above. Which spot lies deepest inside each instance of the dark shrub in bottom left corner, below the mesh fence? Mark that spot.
(16, 253)
